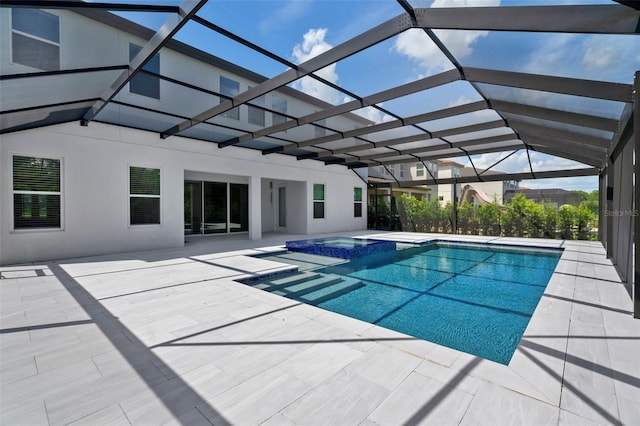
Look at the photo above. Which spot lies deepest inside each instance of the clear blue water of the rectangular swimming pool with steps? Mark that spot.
(474, 298)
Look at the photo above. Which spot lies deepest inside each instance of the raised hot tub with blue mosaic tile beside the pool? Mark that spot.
(342, 247)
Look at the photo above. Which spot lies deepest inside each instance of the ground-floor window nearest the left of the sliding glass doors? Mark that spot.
(144, 196)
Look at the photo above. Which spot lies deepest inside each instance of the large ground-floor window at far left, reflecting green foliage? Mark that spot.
(36, 192)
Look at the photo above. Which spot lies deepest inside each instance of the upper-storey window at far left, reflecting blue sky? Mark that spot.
(35, 39)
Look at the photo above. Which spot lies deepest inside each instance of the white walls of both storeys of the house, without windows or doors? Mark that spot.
(95, 159)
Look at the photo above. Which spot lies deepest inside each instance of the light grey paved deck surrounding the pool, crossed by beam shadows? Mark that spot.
(169, 337)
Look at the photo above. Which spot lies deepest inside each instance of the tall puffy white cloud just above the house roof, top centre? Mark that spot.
(313, 44)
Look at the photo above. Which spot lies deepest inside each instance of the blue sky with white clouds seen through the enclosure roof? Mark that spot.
(298, 30)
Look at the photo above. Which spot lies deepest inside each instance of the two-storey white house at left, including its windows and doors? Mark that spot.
(67, 190)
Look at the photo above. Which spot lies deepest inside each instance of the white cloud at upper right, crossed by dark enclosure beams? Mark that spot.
(417, 46)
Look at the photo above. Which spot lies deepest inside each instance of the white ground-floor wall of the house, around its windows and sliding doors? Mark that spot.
(95, 197)
